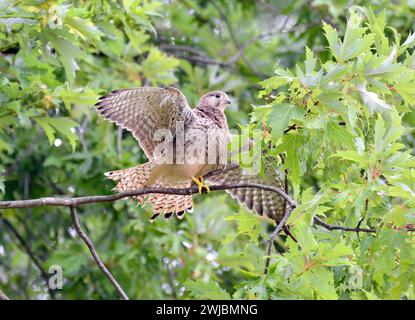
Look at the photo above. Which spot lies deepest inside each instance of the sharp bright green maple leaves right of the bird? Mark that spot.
(354, 157)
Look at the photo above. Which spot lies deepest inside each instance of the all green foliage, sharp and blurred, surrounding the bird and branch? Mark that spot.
(339, 106)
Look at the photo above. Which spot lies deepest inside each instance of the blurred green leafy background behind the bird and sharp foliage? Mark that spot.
(58, 57)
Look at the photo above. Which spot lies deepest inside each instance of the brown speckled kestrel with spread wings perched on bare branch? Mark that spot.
(182, 145)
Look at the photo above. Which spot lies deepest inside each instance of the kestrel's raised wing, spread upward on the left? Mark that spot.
(145, 110)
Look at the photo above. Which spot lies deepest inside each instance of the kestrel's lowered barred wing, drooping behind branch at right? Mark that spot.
(263, 202)
